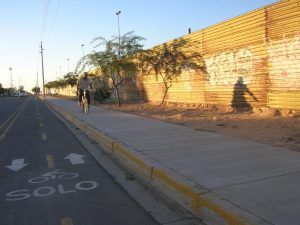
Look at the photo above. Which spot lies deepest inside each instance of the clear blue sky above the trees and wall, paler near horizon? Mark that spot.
(67, 24)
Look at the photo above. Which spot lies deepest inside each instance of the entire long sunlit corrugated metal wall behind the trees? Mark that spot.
(251, 60)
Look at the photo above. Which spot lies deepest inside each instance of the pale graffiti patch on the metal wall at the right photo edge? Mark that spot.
(284, 58)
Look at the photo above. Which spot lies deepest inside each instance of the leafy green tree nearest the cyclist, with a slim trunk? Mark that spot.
(116, 60)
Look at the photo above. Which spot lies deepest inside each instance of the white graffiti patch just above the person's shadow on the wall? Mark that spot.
(227, 67)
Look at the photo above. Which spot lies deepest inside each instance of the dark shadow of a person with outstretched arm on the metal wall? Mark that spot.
(239, 101)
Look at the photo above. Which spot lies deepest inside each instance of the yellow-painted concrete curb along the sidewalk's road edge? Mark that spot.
(203, 203)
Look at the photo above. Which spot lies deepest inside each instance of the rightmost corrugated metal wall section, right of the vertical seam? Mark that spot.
(284, 55)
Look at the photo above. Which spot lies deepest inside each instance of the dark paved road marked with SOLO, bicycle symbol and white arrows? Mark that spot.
(47, 177)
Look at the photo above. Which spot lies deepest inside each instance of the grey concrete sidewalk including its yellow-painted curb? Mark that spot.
(222, 180)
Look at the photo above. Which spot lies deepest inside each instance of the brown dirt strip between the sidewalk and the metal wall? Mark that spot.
(266, 126)
